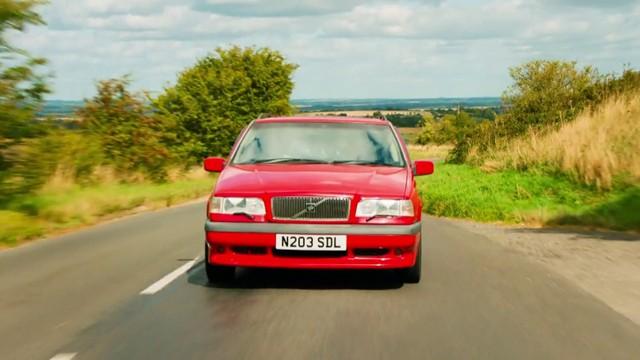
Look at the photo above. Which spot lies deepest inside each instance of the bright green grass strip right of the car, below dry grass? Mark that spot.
(462, 191)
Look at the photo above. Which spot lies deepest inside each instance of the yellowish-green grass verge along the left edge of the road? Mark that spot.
(52, 211)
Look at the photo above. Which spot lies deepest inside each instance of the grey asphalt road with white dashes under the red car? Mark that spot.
(81, 294)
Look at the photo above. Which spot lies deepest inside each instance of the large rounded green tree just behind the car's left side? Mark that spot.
(213, 100)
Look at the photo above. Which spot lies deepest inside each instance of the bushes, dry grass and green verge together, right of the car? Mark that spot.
(564, 150)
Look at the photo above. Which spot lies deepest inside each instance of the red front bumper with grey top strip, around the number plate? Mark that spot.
(368, 246)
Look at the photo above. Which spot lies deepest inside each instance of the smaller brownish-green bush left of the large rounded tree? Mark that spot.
(133, 138)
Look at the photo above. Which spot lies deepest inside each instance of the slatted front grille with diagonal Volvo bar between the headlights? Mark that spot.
(310, 208)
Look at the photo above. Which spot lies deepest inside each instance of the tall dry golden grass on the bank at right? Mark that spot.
(598, 146)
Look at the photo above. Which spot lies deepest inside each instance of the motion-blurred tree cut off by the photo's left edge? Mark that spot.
(22, 89)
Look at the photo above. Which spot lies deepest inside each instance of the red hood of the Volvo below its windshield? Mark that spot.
(281, 179)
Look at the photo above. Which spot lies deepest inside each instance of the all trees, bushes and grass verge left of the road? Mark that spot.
(123, 151)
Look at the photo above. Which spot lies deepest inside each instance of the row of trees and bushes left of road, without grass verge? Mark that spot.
(127, 135)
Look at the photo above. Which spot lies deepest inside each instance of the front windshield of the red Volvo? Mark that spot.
(318, 142)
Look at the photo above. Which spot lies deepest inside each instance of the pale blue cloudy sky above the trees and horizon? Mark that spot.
(345, 48)
